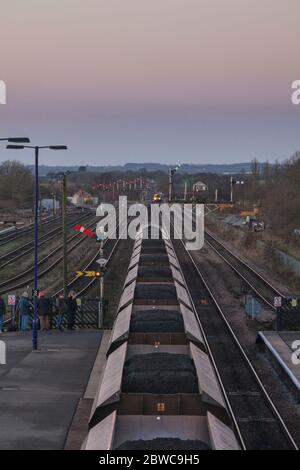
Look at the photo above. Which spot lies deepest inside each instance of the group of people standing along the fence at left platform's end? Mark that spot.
(51, 313)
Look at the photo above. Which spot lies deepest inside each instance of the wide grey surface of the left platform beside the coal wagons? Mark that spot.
(39, 391)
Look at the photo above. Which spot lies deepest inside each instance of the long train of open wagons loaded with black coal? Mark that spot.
(158, 389)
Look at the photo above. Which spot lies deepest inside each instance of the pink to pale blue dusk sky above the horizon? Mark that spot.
(190, 81)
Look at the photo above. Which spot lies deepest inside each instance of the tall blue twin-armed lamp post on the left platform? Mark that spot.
(36, 228)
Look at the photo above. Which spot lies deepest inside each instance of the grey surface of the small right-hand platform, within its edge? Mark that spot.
(281, 346)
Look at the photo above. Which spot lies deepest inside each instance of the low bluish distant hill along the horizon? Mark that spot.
(230, 168)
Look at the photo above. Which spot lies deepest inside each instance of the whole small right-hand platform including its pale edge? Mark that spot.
(281, 348)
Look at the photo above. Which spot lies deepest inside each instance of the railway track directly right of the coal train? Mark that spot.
(256, 415)
